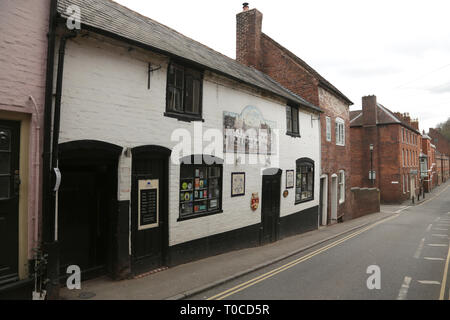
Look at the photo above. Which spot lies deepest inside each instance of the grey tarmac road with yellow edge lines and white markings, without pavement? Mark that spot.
(411, 249)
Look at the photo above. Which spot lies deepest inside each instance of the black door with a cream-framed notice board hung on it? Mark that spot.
(149, 240)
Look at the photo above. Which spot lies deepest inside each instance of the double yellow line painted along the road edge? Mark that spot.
(293, 263)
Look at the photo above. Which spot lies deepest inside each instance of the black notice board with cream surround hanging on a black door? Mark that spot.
(148, 204)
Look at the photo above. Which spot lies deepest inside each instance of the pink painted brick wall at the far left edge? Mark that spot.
(23, 57)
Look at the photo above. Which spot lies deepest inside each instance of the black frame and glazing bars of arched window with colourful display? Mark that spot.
(198, 162)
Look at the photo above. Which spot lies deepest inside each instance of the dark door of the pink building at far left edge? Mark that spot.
(9, 200)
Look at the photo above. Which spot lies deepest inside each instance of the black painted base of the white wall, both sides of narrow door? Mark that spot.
(248, 237)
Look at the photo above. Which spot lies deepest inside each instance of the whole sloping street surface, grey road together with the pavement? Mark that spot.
(399, 253)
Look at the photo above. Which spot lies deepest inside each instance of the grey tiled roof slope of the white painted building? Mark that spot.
(115, 19)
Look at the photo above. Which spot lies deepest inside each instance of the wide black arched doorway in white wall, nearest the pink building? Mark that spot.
(87, 200)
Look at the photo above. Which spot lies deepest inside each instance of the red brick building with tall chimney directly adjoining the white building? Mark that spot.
(258, 50)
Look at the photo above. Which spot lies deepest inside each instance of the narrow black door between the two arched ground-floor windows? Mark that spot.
(270, 207)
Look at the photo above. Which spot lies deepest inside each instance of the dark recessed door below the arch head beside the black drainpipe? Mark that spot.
(85, 201)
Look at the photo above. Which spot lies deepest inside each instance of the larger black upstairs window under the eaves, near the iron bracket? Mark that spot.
(184, 93)
